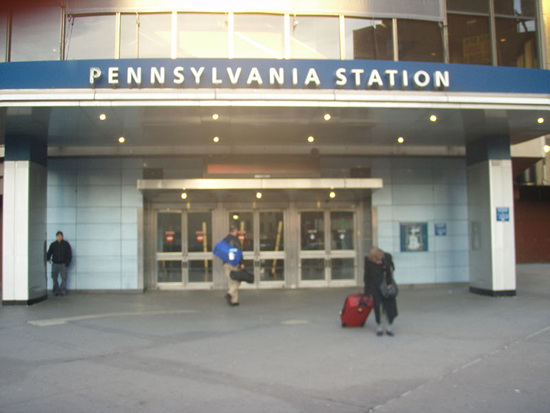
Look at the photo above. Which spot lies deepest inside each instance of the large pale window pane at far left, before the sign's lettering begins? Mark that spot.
(35, 34)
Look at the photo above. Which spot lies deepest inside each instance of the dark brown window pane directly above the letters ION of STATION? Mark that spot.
(419, 41)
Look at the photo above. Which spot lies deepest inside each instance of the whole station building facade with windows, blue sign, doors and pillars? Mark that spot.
(144, 129)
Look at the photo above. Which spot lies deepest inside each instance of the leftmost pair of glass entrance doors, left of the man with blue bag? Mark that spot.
(184, 249)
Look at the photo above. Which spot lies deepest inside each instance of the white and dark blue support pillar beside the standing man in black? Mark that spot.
(24, 221)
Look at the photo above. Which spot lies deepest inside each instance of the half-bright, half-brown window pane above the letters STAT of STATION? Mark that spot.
(369, 39)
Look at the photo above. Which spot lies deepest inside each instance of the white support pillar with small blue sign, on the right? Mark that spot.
(491, 215)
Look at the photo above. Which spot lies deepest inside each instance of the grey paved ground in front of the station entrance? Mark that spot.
(280, 351)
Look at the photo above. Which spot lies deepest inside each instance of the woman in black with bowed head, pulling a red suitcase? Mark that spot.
(374, 275)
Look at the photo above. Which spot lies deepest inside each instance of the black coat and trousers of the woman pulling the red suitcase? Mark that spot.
(373, 278)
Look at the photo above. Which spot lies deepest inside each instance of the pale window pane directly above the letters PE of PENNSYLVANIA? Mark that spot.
(90, 37)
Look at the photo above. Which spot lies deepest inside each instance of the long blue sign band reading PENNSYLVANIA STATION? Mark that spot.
(362, 75)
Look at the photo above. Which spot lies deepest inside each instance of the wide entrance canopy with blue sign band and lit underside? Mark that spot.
(166, 107)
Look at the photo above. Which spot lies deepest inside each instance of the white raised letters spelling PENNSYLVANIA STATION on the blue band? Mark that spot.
(279, 77)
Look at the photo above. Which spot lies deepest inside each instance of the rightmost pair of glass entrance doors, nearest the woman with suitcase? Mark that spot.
(327, 247)
